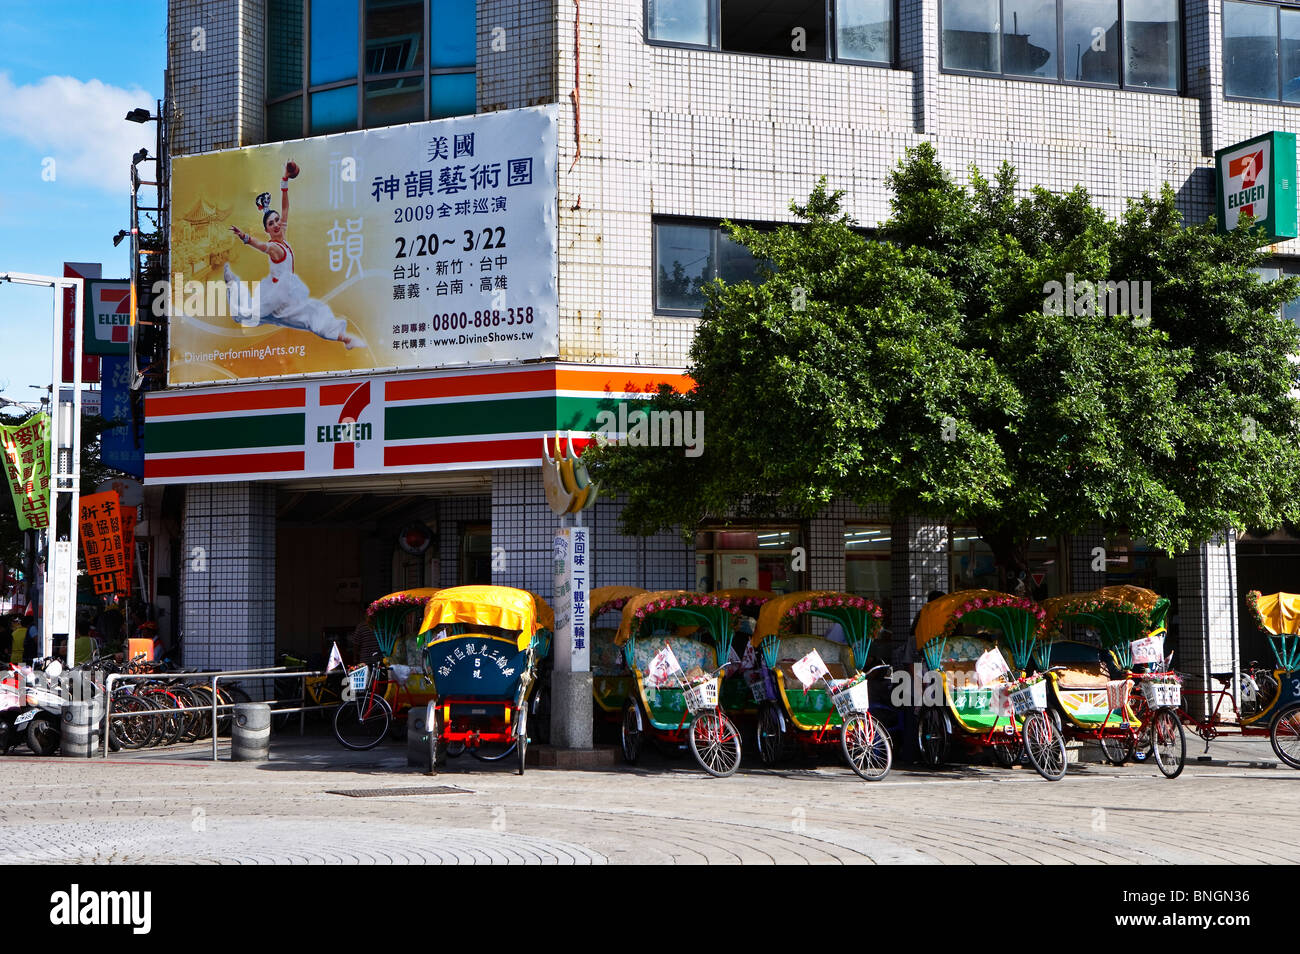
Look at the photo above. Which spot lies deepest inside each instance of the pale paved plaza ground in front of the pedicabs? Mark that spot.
(174, 806)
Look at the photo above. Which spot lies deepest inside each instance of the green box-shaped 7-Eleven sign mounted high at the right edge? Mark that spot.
(1258, 181)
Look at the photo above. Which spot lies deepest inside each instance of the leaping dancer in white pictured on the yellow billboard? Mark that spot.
(283, 298)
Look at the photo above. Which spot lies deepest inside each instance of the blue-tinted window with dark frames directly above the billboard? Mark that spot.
(337, 66)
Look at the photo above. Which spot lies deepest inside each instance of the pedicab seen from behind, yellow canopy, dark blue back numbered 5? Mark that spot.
(480, 651)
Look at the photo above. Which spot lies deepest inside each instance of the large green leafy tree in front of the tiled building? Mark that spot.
(931, 368)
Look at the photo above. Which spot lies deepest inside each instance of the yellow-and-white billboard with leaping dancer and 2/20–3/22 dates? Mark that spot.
(411, 248)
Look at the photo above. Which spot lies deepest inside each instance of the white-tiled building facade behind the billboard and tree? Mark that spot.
(674, 116)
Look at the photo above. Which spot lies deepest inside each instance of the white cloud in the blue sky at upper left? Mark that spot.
(80, 125)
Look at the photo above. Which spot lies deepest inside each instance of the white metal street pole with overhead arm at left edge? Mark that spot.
(59, 600)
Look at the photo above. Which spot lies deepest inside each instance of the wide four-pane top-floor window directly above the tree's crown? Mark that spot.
(1120, 44)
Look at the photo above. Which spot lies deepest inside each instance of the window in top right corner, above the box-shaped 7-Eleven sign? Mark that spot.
(1262, 51)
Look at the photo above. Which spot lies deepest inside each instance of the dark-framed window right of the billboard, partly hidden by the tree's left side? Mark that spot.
(691, 255)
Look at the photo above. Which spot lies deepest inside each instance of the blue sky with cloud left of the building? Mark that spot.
(70, 71)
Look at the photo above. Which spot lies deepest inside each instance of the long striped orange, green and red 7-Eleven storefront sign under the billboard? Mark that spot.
(374, 426)
